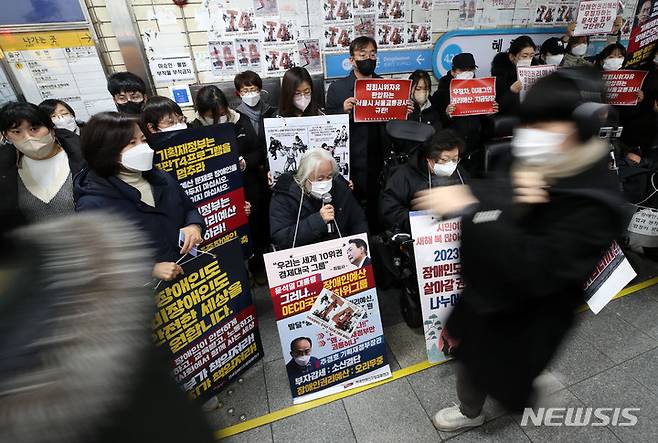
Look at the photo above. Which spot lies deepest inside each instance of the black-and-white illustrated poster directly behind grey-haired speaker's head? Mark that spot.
(288, 138)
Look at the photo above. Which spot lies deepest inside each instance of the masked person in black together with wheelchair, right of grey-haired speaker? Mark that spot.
(431, 164)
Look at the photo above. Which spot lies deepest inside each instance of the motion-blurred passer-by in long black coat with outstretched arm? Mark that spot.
(529, 244)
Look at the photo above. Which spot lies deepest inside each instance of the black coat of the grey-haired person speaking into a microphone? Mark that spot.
(284, 208)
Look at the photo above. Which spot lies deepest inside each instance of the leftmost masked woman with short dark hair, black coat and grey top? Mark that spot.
(37, 165)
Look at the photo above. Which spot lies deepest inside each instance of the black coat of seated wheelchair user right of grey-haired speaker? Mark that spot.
(402, 186)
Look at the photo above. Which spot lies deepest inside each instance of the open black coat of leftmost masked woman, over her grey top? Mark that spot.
(10, 215)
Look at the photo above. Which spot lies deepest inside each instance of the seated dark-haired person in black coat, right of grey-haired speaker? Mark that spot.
(436, 164)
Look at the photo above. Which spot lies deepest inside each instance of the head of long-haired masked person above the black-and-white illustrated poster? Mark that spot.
(297, 98)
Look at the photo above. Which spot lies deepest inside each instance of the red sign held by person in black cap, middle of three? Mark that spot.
(473, 97)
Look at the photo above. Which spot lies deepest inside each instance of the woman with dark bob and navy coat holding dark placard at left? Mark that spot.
(121, 179)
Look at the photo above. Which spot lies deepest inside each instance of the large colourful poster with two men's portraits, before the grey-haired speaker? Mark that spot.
(327, 312)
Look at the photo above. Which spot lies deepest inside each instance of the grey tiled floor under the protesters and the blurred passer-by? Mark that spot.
(609, 360)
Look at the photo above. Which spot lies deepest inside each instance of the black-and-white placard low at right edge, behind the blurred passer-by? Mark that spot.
(611, 275)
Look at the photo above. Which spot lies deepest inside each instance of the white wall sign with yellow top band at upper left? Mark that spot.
(61, 65)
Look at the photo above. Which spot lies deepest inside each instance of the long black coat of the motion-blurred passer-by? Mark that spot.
(524, 273)
